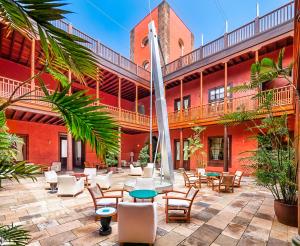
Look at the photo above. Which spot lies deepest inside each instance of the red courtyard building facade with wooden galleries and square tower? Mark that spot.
(195, 82)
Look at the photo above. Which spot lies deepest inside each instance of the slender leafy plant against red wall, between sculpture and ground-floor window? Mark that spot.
(195, 148)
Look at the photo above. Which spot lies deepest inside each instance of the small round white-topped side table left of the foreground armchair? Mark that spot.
(105, 218)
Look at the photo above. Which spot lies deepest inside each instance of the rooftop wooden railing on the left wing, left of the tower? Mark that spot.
(104, 51)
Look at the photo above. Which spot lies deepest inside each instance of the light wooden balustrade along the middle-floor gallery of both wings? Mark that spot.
(282, 96)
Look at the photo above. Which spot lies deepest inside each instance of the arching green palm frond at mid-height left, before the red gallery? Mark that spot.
(88, 123)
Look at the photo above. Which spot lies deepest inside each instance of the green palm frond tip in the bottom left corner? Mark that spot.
(13, 235)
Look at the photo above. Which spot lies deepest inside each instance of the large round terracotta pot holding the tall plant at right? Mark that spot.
(286, 214)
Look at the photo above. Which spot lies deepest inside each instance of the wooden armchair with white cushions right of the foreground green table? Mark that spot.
(180, 203)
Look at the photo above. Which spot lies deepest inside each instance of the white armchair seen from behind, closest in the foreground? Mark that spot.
(137, 222)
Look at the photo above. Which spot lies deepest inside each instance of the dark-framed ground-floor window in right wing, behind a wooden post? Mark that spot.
(216, 151)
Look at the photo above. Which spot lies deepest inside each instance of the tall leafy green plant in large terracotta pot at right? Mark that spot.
(273, 162)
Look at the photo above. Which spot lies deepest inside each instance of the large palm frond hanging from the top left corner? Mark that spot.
(61, 50)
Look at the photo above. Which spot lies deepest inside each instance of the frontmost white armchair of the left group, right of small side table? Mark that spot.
(68, 185)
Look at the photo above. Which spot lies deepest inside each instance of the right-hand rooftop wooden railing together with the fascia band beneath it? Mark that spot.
(261, 29)
